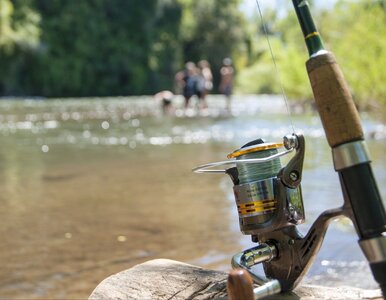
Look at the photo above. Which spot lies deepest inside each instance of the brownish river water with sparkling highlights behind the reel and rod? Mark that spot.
(91, 187)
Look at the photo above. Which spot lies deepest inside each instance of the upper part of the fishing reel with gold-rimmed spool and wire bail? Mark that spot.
(266, 199)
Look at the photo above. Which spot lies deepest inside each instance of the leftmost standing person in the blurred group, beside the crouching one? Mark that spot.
(188, 80)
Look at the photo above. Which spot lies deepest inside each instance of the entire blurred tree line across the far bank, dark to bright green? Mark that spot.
(104, 48)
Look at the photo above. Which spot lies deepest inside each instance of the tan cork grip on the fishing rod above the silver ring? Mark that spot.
(333, 99)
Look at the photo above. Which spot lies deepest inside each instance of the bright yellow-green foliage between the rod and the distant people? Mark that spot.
(289, 55)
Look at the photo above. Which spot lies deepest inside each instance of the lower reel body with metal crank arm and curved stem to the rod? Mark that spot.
(285, 254)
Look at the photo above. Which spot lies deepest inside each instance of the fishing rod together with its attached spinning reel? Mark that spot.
(269, 197)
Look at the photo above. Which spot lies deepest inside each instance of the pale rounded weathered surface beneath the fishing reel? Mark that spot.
(167, 279)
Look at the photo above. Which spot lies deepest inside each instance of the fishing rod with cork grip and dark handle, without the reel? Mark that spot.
(345, 136)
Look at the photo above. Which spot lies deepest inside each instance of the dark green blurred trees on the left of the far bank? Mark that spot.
(102, 47)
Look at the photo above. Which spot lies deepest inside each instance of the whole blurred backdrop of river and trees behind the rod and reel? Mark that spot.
(95, 177)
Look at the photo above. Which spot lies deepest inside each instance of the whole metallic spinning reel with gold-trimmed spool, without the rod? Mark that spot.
(270, 205)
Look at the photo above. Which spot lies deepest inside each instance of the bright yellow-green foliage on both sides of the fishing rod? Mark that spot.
(354, 31)
